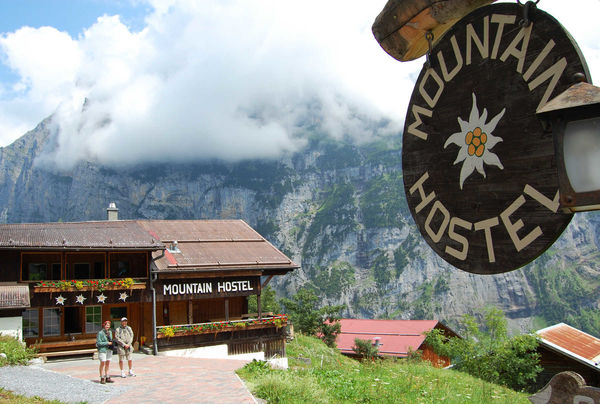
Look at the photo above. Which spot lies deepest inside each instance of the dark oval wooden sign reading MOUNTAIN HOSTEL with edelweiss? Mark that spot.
(479, 171)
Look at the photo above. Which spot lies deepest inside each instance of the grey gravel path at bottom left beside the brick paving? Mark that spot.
(36, 381)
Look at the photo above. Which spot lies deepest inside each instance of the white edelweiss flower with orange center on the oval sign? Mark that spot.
(475, 140)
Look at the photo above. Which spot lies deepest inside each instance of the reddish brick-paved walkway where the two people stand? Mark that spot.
(162, 379)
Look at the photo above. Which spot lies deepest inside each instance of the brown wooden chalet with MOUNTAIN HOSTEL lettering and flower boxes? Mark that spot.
(181, 283)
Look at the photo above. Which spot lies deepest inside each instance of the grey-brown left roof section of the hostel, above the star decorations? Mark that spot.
(120, 234)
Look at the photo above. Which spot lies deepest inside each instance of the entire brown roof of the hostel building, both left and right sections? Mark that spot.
(201, 244)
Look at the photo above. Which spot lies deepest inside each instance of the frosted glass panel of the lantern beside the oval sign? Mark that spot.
(582, 154)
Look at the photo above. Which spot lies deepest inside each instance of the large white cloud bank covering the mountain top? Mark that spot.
(227, 79)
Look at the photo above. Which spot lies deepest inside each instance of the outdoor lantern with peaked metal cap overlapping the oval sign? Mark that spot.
(574, 119)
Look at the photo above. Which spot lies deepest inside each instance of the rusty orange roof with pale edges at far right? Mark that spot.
(573, 343)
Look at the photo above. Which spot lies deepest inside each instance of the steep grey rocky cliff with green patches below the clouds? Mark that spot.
(337, 209)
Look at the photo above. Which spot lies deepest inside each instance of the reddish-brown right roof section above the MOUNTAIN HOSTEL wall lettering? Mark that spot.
(213, 244)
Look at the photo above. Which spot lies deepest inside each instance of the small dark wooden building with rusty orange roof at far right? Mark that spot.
(565, 348)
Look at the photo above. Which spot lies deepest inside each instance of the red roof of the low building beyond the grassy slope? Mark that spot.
(396, 337)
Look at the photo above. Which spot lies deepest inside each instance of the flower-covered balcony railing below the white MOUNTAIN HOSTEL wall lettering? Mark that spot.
(179, 330)
